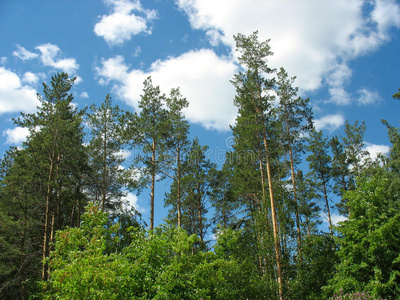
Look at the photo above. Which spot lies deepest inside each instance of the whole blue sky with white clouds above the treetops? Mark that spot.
(345, 54)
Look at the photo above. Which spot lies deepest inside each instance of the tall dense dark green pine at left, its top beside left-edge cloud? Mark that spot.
(57, 158)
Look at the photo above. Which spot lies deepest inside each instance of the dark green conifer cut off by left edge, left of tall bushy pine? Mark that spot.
(21, 226)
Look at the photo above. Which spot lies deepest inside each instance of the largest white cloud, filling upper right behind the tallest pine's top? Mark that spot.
(307, 37)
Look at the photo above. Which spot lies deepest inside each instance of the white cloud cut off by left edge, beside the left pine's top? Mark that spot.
(14, 96)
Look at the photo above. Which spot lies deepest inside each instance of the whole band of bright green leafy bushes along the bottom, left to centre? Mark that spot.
(159, 264)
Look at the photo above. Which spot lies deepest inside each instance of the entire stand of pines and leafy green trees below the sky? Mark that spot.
(65, 232)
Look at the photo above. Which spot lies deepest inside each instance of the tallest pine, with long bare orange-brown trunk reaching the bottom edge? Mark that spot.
(253, 95)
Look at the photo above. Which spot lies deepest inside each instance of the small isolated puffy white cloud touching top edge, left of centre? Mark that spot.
(122, 24)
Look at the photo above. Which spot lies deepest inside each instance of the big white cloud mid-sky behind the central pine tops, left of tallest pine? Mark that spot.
(202, 76)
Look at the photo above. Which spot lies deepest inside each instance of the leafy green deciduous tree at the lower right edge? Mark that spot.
(370, 242)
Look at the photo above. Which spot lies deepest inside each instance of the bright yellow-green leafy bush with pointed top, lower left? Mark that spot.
(81, 267)
